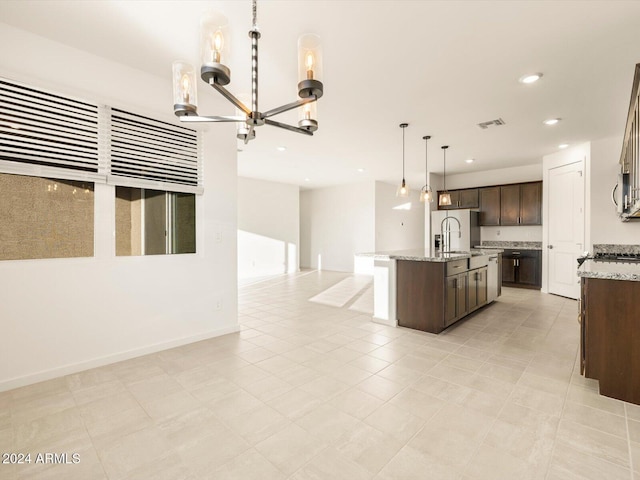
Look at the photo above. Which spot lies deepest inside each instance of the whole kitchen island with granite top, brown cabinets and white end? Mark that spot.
(430, 292)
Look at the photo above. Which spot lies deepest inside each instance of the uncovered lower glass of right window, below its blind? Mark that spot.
(153, 222)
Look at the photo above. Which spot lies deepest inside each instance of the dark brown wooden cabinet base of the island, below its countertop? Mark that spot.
(431, 296)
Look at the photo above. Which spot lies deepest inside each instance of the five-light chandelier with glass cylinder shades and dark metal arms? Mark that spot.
(214, 45)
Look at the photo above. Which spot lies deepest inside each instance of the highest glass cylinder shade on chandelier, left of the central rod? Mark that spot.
(214, 48)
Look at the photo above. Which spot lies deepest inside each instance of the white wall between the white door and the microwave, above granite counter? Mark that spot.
(606, 227)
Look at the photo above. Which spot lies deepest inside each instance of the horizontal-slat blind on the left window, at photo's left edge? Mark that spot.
(44, 133)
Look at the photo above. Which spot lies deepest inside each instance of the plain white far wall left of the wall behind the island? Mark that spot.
(335, 224)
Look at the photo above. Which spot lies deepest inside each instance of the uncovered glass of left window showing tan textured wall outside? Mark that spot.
(45, 218)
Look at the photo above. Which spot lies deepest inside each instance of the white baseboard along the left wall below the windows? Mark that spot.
(41, 376)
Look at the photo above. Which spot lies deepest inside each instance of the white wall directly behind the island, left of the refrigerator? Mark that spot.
(398, 228)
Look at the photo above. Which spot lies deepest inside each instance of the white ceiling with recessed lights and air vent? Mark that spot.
(441, 66)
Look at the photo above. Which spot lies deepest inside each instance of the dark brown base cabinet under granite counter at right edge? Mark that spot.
(610, 344)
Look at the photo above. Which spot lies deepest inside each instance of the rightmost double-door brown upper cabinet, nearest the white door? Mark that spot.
(521, 204)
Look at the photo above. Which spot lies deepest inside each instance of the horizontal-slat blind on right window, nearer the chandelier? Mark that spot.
(149, 153)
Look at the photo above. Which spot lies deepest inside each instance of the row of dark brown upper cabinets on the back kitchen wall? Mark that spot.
(514, 204)
